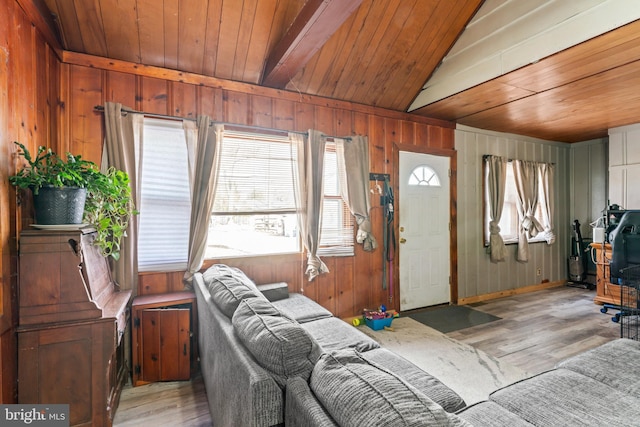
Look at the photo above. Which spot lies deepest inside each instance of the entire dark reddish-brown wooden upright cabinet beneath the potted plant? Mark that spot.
(71, 325)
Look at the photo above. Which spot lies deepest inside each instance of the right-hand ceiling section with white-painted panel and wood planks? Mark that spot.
(553, 69)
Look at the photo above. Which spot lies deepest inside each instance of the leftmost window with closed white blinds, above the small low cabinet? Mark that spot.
(165, 206)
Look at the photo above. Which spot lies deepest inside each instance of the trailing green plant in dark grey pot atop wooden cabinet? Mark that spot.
(105, 198)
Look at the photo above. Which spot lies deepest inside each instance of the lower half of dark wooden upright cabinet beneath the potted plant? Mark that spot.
(79, 364)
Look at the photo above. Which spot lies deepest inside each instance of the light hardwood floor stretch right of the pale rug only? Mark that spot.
(539, 329)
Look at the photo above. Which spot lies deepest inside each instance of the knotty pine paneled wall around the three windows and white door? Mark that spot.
(353, 282)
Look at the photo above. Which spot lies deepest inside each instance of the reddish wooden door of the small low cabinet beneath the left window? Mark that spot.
(166, 344)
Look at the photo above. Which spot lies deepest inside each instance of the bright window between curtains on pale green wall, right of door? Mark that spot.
(510, 221)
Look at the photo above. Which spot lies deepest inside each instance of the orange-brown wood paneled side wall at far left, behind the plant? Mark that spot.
(29, 88)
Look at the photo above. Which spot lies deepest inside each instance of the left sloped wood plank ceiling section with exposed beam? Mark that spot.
(370, 52)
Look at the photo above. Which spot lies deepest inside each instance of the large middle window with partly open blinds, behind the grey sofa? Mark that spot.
(254, 210)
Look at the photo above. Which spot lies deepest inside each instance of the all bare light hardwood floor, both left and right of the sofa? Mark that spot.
(536, 331)
